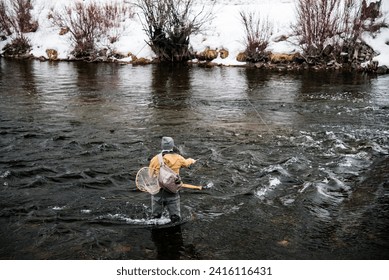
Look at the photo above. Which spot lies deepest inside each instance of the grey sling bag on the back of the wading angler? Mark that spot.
(167, 178)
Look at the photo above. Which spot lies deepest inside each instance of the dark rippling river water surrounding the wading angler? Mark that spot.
(296, 165)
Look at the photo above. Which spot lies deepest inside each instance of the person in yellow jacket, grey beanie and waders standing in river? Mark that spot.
(165, 198)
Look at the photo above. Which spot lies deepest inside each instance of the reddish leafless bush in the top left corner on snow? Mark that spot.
(15, 17)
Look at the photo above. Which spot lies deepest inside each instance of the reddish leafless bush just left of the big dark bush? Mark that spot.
(90, 24)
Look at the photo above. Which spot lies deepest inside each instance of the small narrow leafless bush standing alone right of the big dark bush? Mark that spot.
(258, 32)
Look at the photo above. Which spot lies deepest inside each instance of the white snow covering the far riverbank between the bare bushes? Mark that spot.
(226, 30)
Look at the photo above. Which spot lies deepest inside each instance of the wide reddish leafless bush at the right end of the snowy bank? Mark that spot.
(327, 28)
